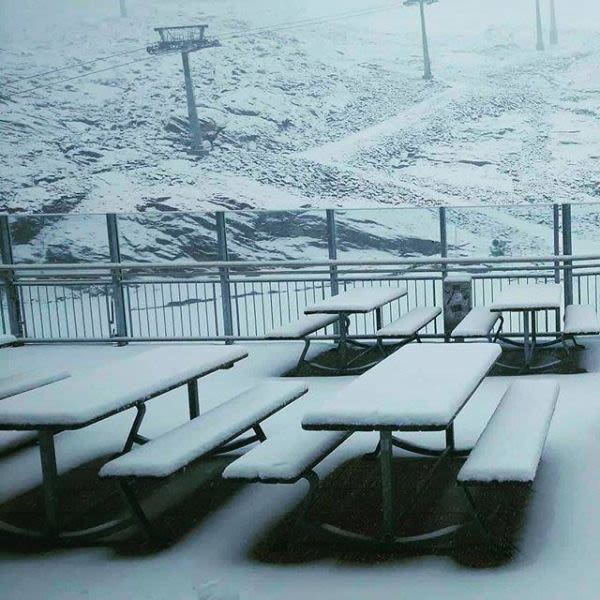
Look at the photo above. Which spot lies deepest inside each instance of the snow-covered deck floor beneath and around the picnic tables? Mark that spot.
(558, 550)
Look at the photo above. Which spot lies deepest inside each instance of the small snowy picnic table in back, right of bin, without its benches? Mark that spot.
(529, 299)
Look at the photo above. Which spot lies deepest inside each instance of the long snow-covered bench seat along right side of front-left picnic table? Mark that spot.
(179, 447)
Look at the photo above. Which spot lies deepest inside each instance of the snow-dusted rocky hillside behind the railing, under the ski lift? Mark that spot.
(330, 113)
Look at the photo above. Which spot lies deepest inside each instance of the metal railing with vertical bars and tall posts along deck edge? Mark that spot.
(228, 300)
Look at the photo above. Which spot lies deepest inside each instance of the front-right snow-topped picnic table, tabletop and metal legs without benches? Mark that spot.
(419, 388)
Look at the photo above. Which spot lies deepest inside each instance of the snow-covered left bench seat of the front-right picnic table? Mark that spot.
(286, 456)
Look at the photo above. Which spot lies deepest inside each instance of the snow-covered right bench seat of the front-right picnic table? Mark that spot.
(510, 447)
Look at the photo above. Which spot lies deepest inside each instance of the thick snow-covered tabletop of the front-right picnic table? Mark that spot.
(419, 385)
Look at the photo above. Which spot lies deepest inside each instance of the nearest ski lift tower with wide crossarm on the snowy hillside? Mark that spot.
(185, 39)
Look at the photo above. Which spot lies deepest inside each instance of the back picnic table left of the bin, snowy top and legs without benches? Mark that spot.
(356, 301)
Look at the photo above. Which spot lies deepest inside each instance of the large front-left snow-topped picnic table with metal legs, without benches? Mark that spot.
(90, 397)
